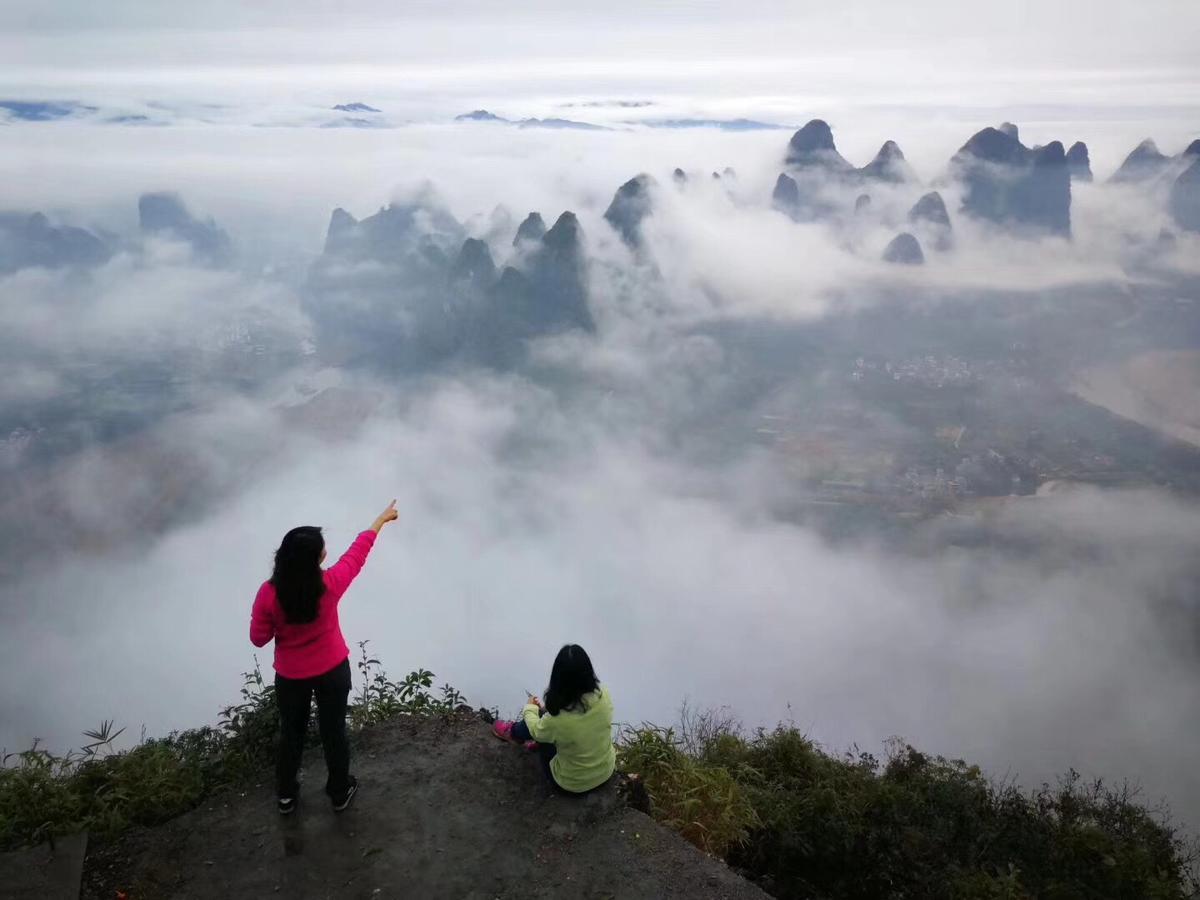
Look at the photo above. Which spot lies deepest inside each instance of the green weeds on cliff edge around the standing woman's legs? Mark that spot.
(105, 791)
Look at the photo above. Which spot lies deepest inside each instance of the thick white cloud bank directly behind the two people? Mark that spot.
(674, 578)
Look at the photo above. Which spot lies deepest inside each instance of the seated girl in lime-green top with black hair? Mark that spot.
(574, 729)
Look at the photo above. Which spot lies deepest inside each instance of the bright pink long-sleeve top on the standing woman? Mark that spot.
(315, 647)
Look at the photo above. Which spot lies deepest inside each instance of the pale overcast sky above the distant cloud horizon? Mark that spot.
(794, 56)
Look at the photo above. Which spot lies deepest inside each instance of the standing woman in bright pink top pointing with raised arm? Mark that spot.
(298, 609)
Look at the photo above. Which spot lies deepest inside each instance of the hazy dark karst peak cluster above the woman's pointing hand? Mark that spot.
(409, 289)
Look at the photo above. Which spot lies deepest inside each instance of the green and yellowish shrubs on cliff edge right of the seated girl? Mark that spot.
(910, 826)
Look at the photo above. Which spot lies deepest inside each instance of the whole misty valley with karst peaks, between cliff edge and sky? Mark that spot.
(765, 411)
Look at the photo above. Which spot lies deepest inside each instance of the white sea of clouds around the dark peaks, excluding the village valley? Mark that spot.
(598, 496)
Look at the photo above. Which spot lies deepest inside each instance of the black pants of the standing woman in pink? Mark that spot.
(295, 697)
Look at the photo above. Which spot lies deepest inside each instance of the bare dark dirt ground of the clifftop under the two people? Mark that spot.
(445, 811)
